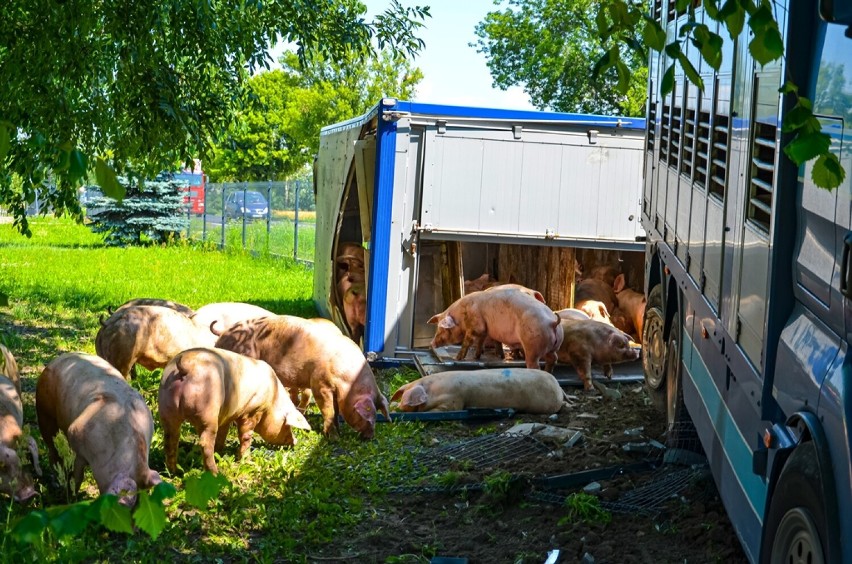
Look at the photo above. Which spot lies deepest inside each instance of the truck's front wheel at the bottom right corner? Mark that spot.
(795, 523)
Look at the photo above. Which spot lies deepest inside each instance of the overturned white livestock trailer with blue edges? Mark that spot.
(437, 195)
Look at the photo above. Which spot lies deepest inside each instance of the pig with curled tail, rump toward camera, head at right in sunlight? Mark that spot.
(213, 388)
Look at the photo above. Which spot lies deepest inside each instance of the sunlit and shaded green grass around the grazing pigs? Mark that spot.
(281, 504)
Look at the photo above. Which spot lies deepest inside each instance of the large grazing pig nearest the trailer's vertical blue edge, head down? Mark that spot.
(314, 354)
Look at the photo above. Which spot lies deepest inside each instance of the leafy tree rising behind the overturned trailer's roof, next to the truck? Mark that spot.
(546, 46)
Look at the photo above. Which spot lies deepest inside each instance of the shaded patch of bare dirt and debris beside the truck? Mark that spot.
(461, 506)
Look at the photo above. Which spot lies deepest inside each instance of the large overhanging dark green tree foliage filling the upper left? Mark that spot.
(100, 86)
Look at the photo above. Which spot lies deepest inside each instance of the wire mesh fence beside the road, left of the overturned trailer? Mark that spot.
(267, 218)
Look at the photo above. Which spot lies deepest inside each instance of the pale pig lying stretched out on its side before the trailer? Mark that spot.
(521, 389)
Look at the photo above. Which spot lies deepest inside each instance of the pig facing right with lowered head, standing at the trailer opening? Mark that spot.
(588, 342)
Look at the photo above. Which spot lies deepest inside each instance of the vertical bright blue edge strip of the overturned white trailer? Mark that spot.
(377, 285)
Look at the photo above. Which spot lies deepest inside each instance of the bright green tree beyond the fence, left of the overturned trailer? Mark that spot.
(278, 134)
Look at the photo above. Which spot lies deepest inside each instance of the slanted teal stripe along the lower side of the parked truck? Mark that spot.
(737, 450)
